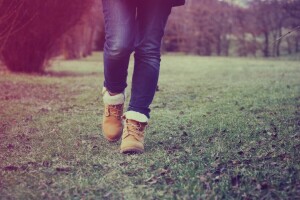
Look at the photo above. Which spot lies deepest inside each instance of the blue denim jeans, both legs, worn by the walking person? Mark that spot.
(134, 26)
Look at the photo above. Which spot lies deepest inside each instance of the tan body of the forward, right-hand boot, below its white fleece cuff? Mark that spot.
(133, 136)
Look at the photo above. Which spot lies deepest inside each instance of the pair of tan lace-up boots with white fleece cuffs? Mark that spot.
(130, 126)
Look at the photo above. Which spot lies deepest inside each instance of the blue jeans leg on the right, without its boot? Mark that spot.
(152, 16)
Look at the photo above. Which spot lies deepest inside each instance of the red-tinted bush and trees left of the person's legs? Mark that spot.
(32, 31)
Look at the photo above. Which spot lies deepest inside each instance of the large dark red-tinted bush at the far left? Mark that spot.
(40, 25)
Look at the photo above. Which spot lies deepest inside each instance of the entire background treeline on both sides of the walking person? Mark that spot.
(33, 31)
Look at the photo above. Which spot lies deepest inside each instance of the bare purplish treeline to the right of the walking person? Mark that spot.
(213, 27)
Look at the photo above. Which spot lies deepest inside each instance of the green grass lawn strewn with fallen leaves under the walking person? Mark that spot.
(220, 127)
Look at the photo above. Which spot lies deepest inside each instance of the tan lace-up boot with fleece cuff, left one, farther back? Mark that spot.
(112, 116)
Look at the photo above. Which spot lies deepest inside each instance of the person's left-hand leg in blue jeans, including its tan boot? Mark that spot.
(120, 20)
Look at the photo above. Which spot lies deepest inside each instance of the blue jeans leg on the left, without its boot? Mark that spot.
(120, 20)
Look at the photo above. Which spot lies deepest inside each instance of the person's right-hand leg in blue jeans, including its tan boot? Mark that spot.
(152, 16)
